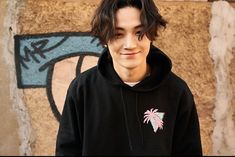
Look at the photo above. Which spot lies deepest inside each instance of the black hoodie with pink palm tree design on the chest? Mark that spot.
(104, 116)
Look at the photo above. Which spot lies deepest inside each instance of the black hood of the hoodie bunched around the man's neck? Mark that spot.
(160, 66)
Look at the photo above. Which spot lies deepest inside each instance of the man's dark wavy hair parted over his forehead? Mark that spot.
(104, 20)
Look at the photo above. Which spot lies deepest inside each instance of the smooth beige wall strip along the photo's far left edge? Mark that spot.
(9, 139)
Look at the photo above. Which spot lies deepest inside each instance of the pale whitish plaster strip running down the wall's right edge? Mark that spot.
(222, 30)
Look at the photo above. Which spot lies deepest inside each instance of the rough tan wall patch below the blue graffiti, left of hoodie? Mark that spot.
(44, 124)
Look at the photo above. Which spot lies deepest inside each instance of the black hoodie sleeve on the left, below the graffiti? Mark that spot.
(69, 140)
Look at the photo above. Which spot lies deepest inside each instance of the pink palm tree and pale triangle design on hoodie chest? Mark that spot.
(155, 118)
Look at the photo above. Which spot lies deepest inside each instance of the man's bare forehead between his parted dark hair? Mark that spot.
(127, 18)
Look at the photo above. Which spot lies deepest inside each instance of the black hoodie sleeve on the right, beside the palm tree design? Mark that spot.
(187, 140)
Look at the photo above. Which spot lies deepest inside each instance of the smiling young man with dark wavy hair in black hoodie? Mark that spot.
(131, 103)
